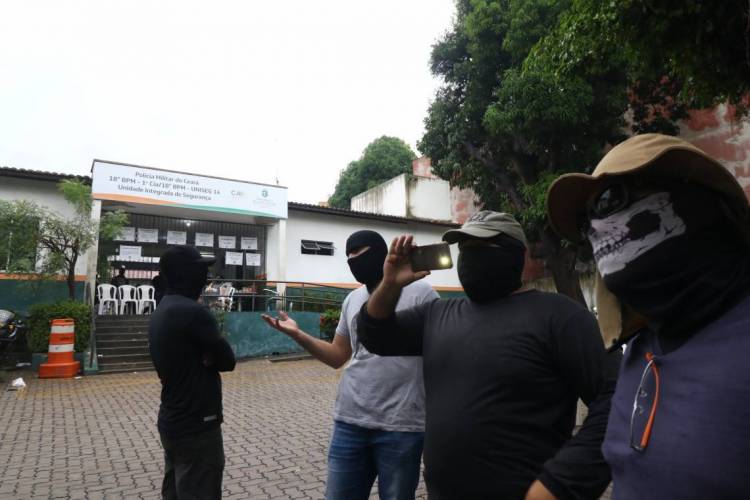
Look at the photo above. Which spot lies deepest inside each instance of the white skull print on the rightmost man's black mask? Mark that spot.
(626, 235)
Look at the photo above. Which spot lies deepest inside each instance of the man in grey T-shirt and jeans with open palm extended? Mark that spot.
(378, 426)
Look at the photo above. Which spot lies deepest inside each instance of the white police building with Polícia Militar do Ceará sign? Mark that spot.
(252, 230)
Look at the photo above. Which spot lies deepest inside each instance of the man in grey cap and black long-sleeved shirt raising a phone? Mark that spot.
(503, 371)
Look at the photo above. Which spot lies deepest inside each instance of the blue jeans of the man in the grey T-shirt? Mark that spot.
(358, 454)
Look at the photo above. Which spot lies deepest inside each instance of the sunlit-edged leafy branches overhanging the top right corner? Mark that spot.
(701, 47)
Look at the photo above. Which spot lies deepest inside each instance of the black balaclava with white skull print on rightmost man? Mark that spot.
(674, 257)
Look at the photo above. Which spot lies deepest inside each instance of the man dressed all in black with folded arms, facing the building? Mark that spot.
(188, 352)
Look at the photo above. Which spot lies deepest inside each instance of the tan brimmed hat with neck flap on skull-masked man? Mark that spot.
(653, 155)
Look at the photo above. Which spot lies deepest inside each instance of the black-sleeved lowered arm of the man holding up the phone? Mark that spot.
(578, 470)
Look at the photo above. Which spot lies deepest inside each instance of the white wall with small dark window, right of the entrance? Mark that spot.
(334, 269)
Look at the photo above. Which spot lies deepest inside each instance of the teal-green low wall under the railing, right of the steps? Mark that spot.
(251, 337)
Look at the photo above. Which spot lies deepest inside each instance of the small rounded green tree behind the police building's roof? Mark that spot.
(382, 159)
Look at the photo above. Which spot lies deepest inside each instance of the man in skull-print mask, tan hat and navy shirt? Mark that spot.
(670, 232)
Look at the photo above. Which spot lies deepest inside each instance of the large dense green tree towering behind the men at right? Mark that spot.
(535, 88)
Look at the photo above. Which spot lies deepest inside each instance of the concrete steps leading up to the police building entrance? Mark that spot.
(122, 343)
